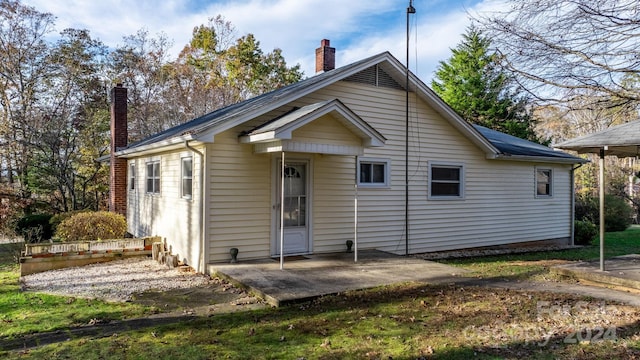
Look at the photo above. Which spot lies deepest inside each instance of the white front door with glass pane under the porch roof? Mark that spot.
(295, 207)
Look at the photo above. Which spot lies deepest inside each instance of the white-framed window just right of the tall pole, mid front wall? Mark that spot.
(446, 181)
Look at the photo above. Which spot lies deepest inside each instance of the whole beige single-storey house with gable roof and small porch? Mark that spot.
(305, 168)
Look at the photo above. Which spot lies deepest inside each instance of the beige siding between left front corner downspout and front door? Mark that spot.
(239, 200)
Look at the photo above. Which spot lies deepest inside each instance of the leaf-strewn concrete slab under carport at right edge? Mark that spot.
(619, 271)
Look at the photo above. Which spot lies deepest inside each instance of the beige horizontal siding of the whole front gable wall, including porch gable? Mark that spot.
(499, 204)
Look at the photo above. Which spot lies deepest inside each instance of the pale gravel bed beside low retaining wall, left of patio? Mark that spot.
(113, 281)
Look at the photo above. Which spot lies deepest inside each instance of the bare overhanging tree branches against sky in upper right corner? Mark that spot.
(561, 50)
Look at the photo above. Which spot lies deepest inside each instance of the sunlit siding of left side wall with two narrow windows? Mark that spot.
(167, 214)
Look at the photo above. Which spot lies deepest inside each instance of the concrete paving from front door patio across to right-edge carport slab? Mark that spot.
(309, 277)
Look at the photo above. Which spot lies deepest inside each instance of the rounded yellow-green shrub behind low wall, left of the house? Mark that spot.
(100, 225)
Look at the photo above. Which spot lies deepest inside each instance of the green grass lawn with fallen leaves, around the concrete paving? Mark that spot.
(404, 321)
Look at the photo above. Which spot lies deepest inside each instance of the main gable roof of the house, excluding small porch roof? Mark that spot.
(494, 144)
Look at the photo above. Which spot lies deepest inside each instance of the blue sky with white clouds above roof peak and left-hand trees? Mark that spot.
(356, 28)
